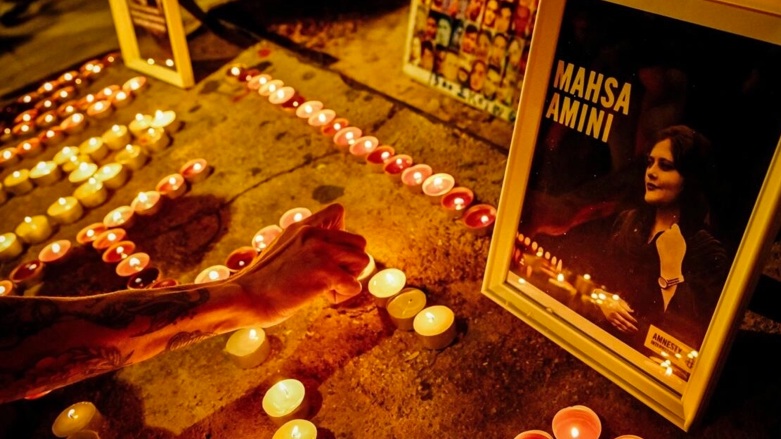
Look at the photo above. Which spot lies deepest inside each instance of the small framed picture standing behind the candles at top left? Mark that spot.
(152, 39)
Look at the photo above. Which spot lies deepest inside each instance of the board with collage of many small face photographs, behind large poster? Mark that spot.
(479, 46)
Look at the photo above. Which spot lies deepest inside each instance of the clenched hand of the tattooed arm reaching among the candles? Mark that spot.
(309, 258)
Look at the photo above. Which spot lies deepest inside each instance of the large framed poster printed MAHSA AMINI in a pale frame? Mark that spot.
(642, 187)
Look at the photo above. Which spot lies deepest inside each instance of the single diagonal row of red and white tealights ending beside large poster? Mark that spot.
(439, 187)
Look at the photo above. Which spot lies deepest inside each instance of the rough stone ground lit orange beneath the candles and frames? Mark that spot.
(499, 378)
